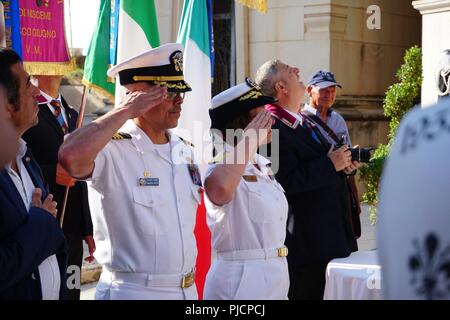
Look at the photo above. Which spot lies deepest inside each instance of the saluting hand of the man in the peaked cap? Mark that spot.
(140, 101)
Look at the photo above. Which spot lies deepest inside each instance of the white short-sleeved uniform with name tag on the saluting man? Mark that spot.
(144, 206)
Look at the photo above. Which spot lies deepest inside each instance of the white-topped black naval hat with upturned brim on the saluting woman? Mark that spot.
(235, 101)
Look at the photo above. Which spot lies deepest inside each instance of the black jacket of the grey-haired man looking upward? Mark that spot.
(319, 227)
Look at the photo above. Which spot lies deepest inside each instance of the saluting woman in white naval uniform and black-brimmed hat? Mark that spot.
(247, 208)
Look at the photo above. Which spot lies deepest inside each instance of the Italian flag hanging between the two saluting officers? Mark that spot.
(195, 34)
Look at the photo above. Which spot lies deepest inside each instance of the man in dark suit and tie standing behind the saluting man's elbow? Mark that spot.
(57, 118)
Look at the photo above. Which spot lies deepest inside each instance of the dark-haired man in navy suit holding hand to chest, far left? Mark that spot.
(33, 250)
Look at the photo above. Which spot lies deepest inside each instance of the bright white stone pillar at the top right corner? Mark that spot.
(435, 39)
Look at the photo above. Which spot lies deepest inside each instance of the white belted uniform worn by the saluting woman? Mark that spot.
(246, 235)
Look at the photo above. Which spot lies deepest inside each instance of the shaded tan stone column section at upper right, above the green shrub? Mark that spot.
(366, 60)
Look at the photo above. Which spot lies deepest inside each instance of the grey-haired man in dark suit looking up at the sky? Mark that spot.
(313, 177)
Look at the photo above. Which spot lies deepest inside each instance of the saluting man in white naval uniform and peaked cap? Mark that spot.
(145, 180)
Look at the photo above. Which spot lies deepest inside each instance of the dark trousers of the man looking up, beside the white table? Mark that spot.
(307, 282)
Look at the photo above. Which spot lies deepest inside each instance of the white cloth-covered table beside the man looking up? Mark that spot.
(357, 277)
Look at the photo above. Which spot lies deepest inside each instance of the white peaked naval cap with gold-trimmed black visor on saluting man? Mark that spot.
(160, 66)
